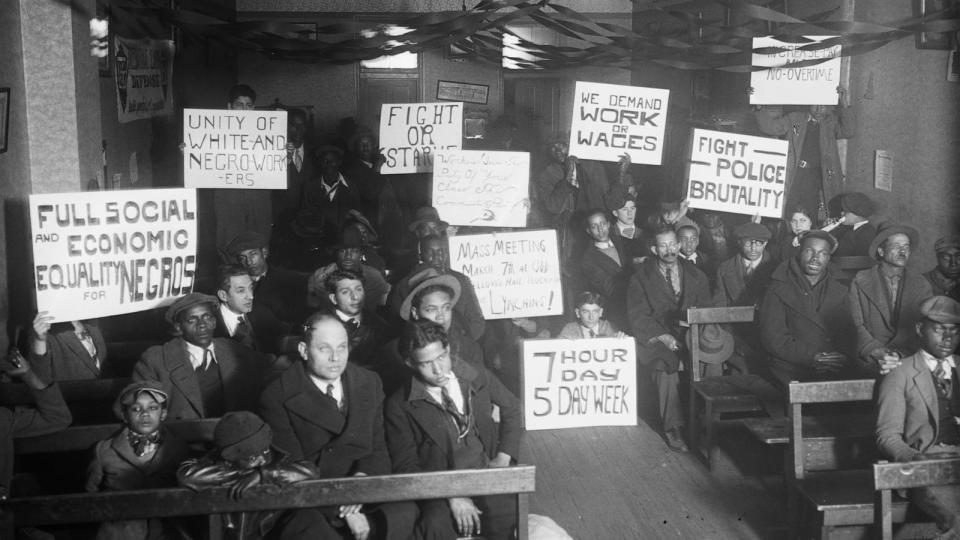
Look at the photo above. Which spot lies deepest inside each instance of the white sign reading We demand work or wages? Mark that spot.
(610, 120)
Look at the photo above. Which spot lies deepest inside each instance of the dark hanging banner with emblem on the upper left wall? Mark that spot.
(144, 78)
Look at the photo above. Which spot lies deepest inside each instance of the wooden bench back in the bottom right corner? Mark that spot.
(890, 476)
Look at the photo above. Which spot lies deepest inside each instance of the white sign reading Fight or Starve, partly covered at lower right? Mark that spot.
(411, 134)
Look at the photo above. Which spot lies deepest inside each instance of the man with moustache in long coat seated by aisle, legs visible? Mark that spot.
(660, 292)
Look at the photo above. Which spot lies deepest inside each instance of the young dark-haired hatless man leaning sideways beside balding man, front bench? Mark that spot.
(441, 420)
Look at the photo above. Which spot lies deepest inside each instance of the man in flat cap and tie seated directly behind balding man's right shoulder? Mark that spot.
(207, 376)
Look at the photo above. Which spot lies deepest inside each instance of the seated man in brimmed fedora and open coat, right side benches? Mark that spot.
(885, 300)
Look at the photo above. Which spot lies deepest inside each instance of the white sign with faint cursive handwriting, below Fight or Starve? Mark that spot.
(479, 188)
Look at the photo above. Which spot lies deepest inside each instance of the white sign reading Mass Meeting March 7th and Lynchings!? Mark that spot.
(515, 274)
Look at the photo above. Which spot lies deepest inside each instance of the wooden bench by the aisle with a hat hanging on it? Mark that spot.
(731, 394)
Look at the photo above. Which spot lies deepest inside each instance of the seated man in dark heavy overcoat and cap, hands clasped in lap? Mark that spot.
(805, 326)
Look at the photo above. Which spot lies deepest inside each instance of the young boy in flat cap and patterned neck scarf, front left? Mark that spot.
(142, 455)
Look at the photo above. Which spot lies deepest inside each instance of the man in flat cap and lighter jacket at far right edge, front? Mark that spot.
(918, 404)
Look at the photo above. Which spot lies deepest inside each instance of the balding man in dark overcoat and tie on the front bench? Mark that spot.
(330, 412)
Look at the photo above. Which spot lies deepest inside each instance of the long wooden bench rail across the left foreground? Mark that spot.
(160, 503)
